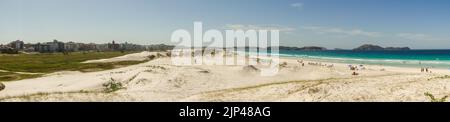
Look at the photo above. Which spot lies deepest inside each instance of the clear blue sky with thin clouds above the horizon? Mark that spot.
(420, 24)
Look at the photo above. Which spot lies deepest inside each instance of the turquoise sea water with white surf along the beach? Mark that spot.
(411, 58)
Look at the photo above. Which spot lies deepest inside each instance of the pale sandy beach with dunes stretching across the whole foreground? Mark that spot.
(160, 80)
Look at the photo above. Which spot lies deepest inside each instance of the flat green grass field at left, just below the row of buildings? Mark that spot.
(47, 63)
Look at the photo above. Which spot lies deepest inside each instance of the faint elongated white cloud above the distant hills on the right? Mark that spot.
(351, 32)
